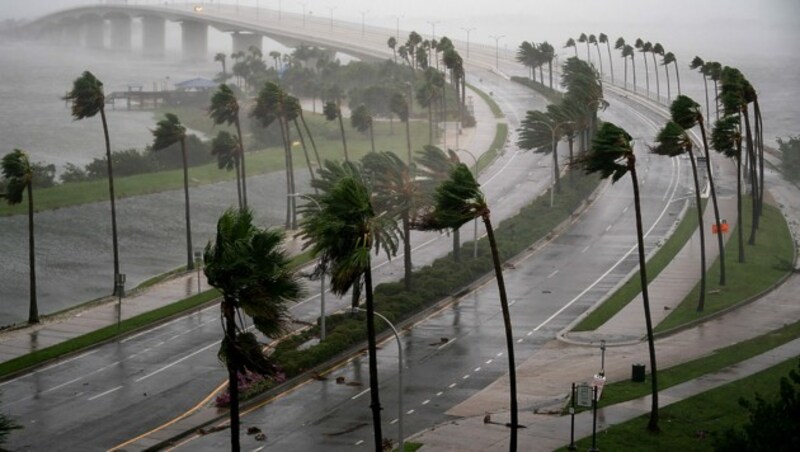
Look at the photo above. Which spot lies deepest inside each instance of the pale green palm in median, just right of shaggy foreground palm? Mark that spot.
(398, 192)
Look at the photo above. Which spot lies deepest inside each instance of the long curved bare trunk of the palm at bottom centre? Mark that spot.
(512, 370)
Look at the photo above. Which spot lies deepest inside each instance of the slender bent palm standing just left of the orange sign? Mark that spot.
(672, 140)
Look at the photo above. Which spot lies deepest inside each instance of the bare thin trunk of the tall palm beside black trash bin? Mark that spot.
(652, 425)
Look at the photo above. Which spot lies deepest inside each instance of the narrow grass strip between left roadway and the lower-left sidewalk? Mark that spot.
(107, 333)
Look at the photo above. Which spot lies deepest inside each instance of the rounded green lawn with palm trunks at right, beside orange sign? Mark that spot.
(766, 263)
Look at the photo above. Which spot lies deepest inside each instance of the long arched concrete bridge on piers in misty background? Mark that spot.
(110, 26)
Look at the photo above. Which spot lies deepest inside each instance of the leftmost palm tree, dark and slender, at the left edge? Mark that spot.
(18, 175)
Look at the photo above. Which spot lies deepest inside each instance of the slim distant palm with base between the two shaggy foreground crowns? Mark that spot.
(270, 106)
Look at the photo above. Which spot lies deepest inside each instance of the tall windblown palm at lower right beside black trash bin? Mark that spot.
(612, 155)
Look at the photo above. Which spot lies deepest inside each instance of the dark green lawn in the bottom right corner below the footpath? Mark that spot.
(711, 412)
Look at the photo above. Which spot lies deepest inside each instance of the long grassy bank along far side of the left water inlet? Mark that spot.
(258, 162)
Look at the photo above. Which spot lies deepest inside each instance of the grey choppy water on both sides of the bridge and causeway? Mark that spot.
(34, 77)
